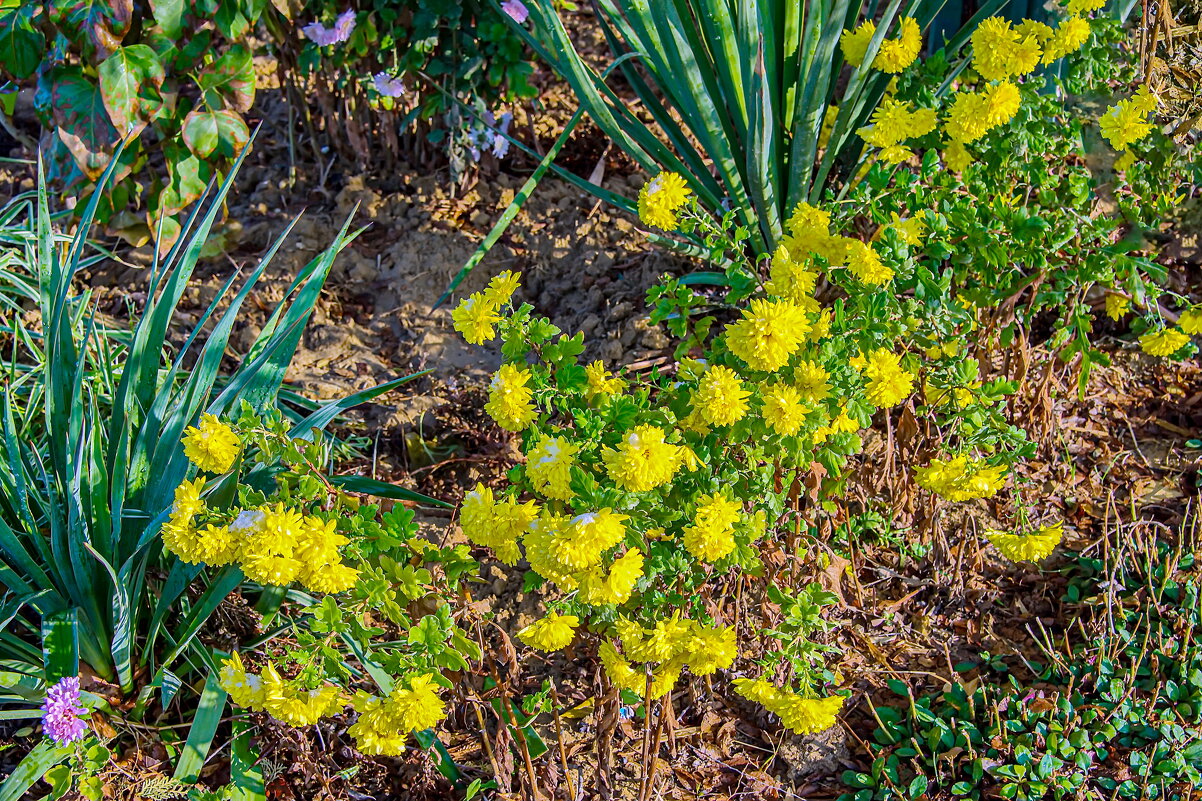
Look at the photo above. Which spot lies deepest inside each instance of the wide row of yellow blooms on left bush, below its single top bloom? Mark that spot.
(273, 545)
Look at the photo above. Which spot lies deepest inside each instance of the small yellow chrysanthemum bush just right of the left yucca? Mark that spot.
(353, 569)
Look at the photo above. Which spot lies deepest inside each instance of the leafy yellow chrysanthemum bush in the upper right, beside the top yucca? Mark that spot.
(1013, 222)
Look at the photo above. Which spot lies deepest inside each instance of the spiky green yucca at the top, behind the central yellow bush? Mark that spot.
(733, 94)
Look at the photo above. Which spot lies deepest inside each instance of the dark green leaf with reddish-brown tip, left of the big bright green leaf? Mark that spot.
(84, 124)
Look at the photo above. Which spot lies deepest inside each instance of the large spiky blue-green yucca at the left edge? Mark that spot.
(92, 423)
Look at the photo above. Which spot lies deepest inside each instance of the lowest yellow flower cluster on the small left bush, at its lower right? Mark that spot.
(385, 723)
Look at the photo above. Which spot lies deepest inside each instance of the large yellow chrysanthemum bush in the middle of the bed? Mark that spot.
(645, 501)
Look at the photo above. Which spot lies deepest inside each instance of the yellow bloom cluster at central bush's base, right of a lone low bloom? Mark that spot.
(674, 645)
